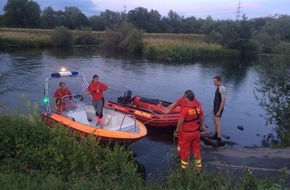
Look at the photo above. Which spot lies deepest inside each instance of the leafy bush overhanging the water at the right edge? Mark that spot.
(274, 86)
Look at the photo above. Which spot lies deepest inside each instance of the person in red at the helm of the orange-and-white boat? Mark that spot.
(60, 94)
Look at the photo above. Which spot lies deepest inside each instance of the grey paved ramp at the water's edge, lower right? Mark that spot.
(263, 162)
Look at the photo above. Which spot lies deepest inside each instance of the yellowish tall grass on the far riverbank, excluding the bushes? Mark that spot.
(168, 47)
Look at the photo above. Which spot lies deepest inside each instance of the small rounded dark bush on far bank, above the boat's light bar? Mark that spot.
(62, 37)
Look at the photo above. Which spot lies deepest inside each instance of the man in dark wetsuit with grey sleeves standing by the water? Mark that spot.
(218, 108)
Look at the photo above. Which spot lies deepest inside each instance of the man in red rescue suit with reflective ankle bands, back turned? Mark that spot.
(190, 123)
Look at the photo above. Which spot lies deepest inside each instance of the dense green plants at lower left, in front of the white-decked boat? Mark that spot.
(34, 156)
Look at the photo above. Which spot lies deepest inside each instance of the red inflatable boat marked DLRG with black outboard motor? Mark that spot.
(149, 111)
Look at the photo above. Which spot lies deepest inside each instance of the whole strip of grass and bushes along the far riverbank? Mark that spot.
(126, 38)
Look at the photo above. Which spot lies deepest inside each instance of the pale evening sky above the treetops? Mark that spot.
(218, 9)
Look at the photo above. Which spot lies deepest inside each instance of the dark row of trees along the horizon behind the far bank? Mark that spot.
(249, 36)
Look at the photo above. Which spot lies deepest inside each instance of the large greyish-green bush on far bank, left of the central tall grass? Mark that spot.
(124, 38)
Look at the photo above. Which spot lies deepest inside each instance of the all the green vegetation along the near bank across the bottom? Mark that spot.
(34, 156)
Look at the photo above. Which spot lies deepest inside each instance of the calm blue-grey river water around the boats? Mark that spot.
(22, 73)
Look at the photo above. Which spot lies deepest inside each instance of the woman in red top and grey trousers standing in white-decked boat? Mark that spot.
(96, 89)
